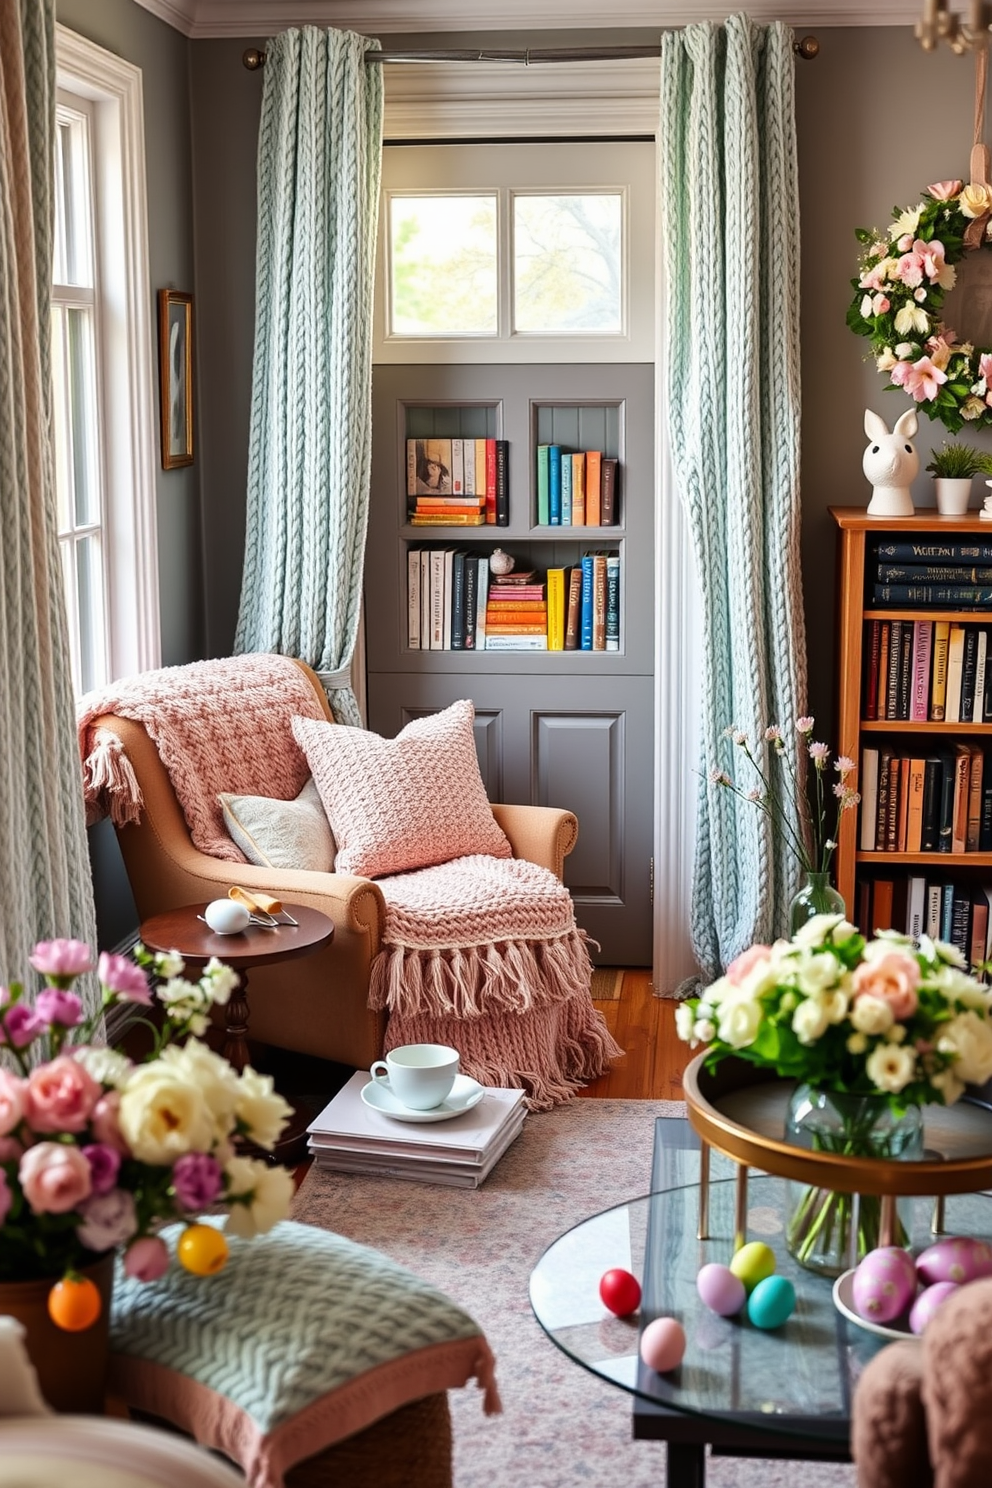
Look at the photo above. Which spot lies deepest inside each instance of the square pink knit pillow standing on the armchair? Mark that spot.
(405, 803)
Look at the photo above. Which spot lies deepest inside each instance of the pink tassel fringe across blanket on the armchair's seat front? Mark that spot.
(475, 981)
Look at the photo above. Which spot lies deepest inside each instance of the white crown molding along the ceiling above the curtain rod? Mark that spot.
(254, 19)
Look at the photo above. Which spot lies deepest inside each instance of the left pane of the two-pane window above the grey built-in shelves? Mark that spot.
(444, 266)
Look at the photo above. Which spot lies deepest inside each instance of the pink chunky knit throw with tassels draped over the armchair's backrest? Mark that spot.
(218, 725)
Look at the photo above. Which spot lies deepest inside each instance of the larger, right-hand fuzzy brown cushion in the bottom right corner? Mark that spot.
(957, 1353)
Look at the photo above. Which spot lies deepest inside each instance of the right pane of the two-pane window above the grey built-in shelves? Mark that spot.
(567, 266)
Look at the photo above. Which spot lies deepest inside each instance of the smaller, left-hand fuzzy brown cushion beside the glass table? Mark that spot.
(889, 1426)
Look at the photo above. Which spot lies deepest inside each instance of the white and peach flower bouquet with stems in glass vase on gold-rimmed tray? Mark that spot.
(872, 1030)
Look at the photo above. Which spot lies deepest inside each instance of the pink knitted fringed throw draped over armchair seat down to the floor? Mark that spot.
(486, 955)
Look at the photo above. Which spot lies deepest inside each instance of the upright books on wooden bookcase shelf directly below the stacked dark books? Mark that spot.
(924, 672)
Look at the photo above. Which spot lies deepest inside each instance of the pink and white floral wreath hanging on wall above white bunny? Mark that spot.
(901, 294)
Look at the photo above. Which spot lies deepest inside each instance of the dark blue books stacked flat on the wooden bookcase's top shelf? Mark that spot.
(954, 574)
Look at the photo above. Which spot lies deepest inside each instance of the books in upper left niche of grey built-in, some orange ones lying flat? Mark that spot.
(457, 483)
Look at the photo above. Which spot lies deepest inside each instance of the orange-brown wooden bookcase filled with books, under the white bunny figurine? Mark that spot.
(915, 713)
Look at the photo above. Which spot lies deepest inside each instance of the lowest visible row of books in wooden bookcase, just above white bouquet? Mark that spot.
(956, 913)
